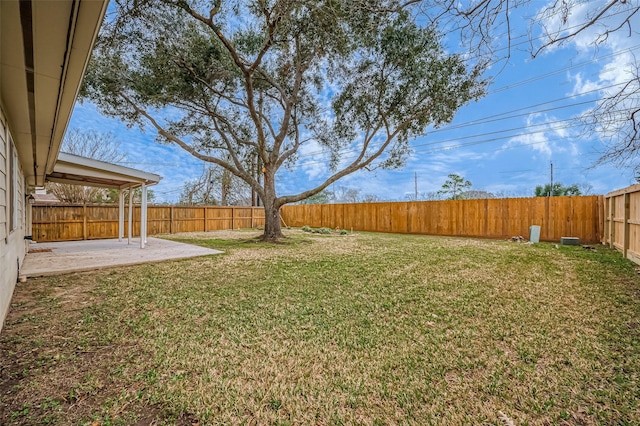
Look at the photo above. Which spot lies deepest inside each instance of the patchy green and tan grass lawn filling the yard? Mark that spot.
(331, 329)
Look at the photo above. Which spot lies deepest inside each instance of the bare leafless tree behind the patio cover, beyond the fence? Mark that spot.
(90, 144)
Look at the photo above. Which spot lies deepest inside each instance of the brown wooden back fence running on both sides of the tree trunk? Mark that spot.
(488, 218)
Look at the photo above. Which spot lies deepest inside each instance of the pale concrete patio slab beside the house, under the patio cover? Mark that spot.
(75, 256)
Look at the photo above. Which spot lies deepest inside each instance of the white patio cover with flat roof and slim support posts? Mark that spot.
(74, 169)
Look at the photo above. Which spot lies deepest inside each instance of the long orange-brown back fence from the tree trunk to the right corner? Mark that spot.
(487, 218)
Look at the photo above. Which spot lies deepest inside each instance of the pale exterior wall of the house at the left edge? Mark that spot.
(13, 246)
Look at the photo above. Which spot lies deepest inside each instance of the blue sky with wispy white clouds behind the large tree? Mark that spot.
(509, 157)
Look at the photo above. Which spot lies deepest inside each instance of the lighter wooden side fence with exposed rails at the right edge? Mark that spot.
(622, 221)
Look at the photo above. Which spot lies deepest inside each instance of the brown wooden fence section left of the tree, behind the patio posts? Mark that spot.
(56, 222)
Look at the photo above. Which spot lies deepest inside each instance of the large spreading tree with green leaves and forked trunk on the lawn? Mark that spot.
(246, 84)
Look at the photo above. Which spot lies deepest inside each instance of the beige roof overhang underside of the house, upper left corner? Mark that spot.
(45, 46)
